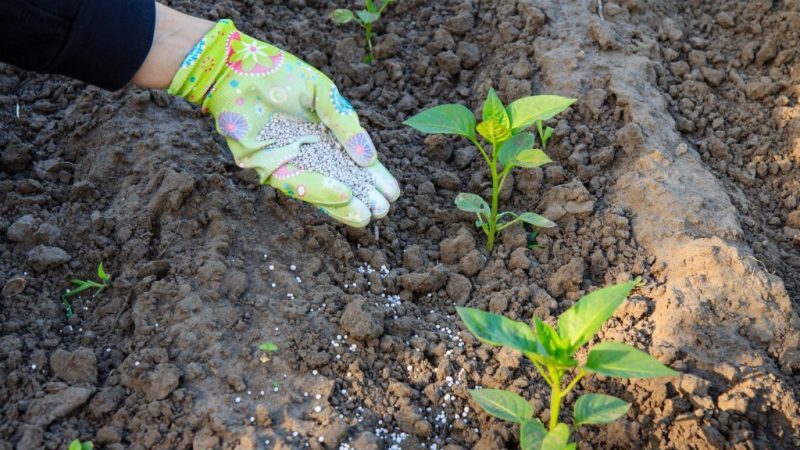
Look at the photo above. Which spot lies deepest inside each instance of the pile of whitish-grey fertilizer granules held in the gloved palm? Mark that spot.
(327, 156)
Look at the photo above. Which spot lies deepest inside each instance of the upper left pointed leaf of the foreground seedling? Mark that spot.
(495, 329)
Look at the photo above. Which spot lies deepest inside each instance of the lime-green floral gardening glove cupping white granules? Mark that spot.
(244, 83)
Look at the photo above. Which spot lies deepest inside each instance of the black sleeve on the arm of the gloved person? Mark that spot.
(101, 42)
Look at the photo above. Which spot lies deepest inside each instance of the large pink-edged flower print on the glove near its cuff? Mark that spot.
(248, 56)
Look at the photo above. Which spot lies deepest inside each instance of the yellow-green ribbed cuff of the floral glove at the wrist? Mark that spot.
(198, 73)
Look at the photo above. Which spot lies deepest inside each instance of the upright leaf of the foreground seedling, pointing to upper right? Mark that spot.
(577, 325)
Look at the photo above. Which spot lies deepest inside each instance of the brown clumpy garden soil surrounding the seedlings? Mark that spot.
(680, 163)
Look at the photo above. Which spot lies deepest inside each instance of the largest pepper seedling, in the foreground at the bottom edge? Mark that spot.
(552, 353)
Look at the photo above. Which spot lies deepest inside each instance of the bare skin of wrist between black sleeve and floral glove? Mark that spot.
(174, 36)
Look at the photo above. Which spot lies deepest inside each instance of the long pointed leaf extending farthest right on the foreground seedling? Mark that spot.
(615, 359)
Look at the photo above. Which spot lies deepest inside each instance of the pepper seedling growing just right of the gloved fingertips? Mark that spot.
(505, 128)
